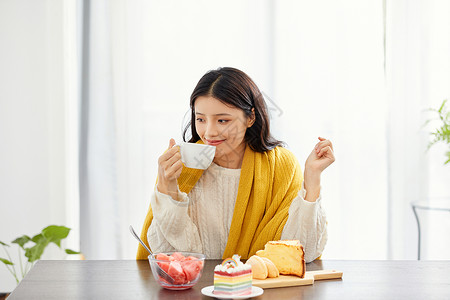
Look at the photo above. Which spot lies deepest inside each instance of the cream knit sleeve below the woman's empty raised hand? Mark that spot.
(307, 223)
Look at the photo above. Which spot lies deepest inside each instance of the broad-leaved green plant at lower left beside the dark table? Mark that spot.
(32, 249)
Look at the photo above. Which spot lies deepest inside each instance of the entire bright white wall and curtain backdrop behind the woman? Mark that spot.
(92, 91)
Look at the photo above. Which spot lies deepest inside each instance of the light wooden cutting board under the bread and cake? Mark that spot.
(285, 280)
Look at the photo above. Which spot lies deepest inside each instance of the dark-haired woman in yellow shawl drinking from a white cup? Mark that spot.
(252, 193)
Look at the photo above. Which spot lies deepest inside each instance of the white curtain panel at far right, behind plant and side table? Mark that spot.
(418, 78)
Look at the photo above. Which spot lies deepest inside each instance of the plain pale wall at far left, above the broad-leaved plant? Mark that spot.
(32, 122)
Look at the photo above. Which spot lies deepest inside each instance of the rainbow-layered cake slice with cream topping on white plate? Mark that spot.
(233, 278)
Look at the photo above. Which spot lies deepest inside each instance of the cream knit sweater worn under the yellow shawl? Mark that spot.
(200, 221)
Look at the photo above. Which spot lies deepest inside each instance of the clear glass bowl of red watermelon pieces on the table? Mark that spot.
(184, 267)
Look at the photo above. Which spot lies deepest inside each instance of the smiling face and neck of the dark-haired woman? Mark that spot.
(222, 126)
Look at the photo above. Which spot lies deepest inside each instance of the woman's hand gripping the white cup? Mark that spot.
(169, 169)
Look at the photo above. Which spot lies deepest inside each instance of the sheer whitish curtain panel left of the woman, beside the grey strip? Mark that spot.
(111, 152)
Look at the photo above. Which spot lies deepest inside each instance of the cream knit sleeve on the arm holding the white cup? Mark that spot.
(172, 228)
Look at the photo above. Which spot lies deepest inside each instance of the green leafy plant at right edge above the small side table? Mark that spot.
(442, 133)
